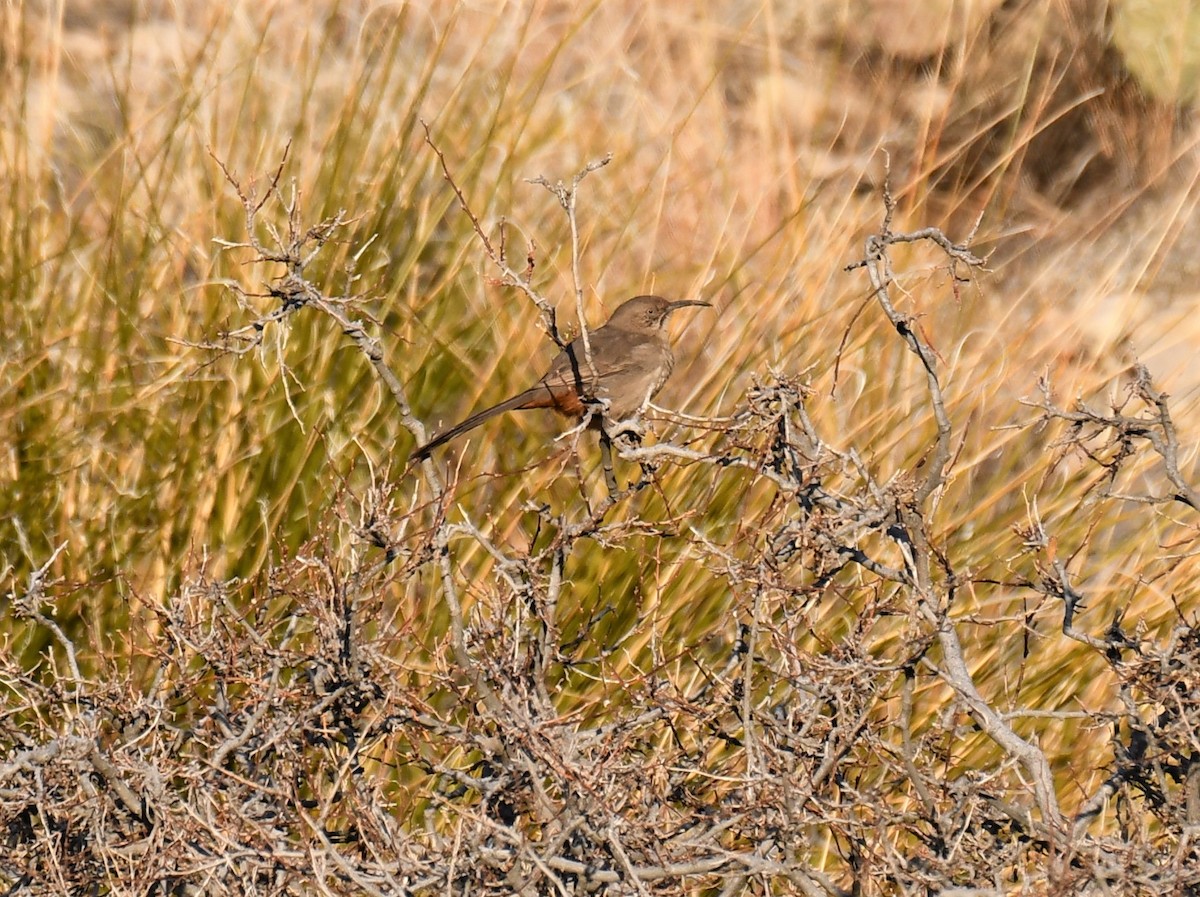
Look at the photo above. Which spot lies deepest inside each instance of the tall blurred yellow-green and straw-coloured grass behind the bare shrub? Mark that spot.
(747, 164)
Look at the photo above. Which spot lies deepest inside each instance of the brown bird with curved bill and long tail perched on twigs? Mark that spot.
(632, 357)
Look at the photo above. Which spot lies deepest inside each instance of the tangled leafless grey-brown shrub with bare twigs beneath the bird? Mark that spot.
(320, 732)
